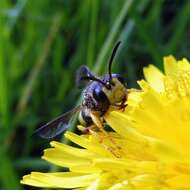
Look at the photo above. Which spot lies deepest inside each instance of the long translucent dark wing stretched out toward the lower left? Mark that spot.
(56, 126)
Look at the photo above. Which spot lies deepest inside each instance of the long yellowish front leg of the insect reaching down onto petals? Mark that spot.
(97, 121)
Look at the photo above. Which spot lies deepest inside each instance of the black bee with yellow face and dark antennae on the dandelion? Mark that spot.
(98, 95)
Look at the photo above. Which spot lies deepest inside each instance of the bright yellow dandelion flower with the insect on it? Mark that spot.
(152, 140)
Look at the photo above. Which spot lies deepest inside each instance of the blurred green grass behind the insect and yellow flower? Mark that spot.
(42, 43)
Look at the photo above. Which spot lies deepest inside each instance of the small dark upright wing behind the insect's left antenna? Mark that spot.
(82, 72)
